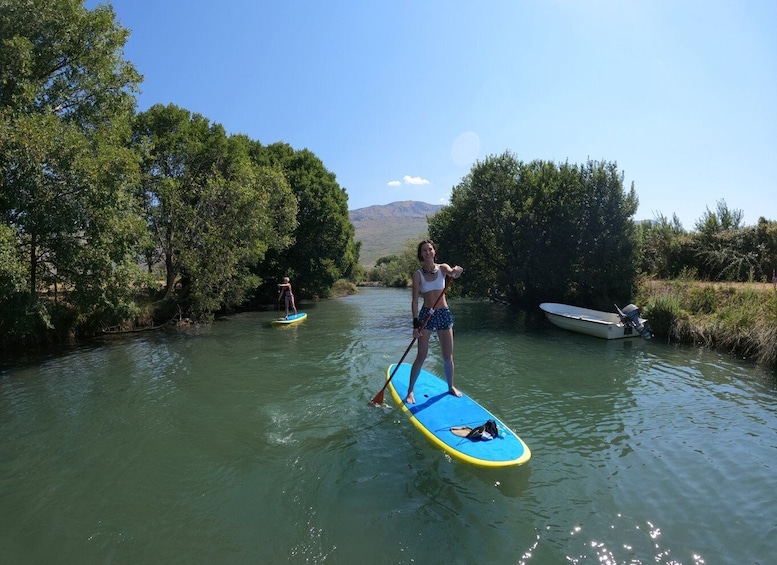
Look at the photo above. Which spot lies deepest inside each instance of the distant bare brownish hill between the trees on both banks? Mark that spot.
(383, 230)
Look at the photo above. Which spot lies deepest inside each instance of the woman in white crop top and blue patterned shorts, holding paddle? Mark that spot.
(429, 282)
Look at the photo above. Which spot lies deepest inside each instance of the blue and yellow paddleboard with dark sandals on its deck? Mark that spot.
(436, 412)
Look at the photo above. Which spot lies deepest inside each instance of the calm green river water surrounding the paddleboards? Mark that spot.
(244, 443)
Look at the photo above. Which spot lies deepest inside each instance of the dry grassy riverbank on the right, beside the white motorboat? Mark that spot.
(735, 318)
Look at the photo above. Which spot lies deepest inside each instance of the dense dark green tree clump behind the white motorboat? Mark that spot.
(536, 231)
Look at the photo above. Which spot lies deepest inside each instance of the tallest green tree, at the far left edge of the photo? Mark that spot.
(66, 96)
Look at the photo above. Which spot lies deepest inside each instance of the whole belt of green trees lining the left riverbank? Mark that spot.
(90, 191)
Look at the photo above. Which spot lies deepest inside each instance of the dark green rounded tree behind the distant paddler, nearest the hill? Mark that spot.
(324, 249)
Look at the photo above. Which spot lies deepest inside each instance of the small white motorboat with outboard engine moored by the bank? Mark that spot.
(617, 325)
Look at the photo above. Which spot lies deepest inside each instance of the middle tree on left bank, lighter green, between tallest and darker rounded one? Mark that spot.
(212, 212)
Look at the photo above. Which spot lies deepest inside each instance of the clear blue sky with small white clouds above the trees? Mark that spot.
(400, 98)
